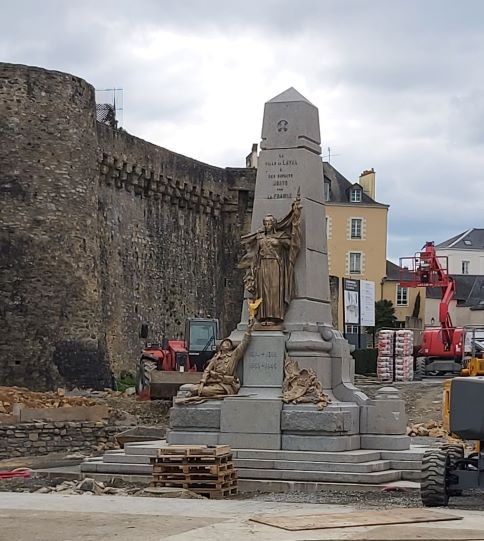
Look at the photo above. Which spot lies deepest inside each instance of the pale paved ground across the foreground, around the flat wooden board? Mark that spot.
(54, 517)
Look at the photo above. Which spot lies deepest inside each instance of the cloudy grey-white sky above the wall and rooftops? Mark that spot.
(399, 85)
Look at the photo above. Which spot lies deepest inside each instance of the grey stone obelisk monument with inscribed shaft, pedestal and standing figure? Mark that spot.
(287, 266)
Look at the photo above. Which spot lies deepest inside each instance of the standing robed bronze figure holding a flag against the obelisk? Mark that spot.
(269, 263)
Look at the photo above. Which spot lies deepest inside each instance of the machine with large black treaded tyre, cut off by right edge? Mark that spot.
(447, 471)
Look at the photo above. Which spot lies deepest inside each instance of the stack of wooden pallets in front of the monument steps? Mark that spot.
(208, 471)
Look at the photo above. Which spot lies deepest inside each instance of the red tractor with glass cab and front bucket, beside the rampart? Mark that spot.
(164, 367)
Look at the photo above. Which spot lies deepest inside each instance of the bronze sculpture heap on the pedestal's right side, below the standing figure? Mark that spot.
(301, 385)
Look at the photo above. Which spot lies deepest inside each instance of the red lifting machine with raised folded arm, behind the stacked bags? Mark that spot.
(441, 348)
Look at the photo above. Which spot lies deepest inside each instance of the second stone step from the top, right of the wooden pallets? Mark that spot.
(359, 467)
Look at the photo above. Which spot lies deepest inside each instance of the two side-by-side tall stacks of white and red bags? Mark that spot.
(395, 349)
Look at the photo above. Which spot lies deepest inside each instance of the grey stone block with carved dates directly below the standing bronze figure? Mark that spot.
(263, 364)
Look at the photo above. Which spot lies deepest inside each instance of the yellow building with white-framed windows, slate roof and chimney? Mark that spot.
(356, 227)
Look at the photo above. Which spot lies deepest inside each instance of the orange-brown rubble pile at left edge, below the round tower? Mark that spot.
(30, 399)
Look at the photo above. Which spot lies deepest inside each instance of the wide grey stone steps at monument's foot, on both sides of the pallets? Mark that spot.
(264, 470)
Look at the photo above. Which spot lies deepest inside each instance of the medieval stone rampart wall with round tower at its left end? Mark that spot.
(101, 231)
